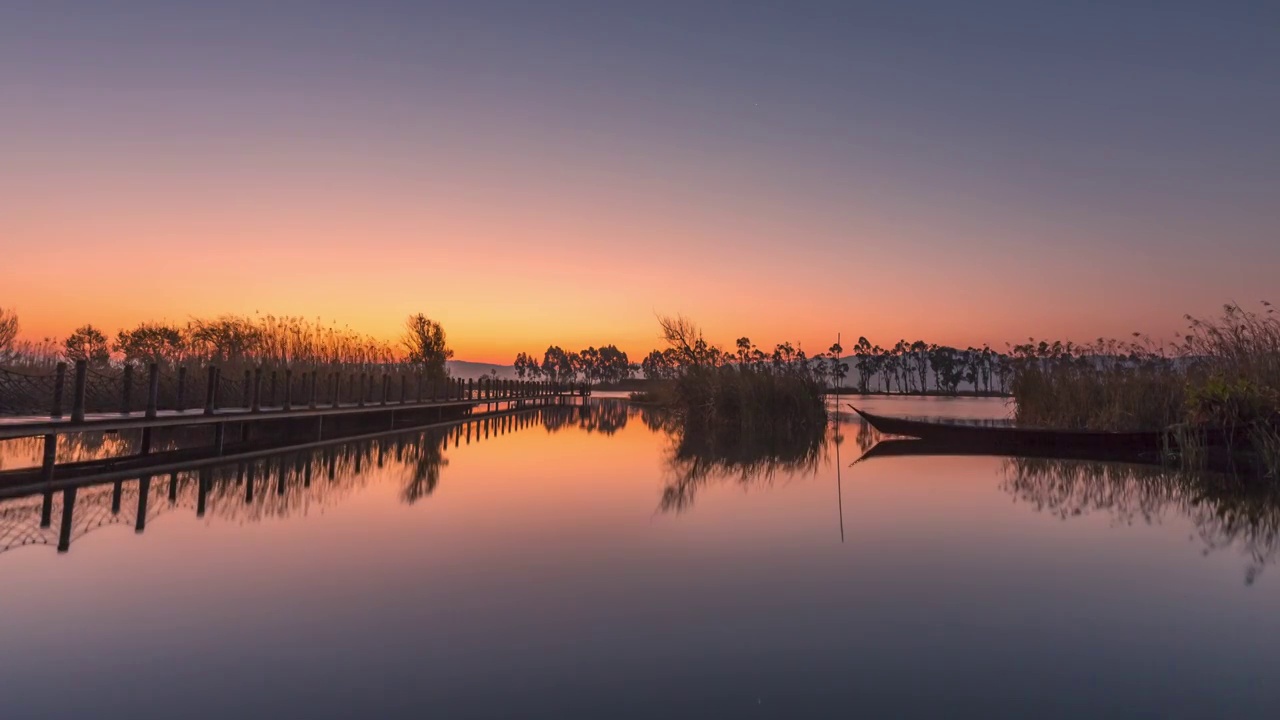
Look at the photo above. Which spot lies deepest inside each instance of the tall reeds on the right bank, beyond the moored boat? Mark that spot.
(1222, 379)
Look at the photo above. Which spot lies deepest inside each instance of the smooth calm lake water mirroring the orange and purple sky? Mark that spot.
(556, 566)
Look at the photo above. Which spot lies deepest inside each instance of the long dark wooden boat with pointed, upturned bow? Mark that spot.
(1000, 440)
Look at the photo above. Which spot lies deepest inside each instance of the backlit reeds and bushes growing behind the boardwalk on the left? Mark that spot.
(259, 340)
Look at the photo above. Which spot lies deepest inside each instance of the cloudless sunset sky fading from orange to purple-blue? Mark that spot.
(555, 172)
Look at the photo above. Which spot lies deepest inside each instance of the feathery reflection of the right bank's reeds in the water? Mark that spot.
(1226, 512)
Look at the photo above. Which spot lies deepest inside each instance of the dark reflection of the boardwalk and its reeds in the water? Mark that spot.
(277, 486)
